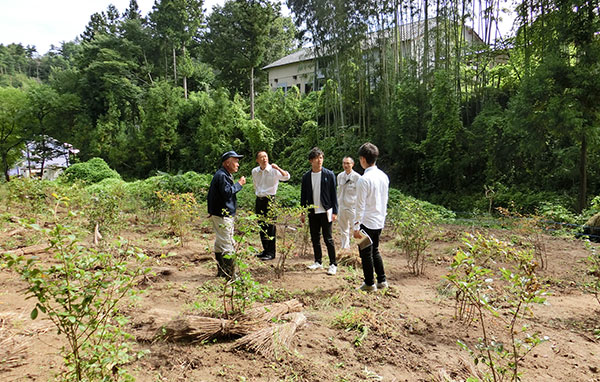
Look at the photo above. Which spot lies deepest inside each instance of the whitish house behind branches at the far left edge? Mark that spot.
(46, 158)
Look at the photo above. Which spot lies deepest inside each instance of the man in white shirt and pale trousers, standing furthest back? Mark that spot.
(346, 193)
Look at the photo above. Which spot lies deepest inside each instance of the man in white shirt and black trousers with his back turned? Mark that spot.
(371, 209)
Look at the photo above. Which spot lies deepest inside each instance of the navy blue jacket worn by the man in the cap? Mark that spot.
(221, 199)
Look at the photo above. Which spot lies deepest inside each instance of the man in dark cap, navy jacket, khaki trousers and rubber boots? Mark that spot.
(222, 206)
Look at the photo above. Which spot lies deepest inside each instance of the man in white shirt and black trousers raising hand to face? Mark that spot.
(266, 178)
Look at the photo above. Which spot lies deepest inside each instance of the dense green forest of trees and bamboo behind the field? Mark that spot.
(458, 99)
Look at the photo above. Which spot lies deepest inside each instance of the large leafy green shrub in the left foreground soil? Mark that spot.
(80, 291)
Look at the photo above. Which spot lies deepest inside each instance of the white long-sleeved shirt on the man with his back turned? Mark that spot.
(371, 199)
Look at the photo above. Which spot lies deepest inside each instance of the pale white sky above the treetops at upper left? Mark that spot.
(45, 22)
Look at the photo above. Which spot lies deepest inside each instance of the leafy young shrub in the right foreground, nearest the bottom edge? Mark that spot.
(487, 294)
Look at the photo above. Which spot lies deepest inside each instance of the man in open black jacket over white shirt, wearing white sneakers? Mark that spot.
(318, 191)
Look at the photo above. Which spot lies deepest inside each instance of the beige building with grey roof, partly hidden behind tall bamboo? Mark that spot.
(298, 69)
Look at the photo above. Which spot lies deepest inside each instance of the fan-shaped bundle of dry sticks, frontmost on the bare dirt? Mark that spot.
(270, 340)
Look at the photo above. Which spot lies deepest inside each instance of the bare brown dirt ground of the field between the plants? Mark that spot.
(412, 332)
